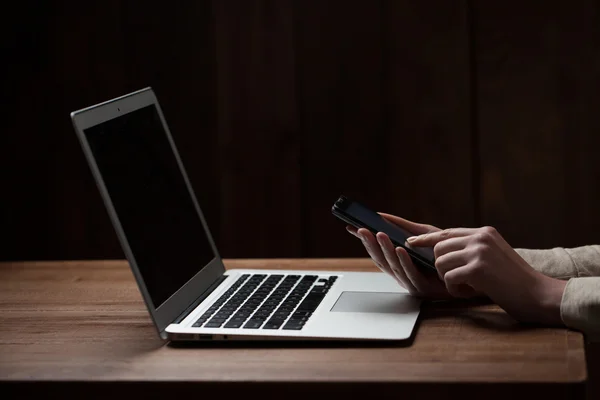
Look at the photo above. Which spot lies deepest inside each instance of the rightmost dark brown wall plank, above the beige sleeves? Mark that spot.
(538, 110)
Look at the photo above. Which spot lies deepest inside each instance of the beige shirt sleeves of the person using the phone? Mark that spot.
(580, 305)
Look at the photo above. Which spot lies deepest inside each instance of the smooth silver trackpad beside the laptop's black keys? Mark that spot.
(374, 302)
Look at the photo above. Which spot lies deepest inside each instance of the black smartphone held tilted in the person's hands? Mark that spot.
(359, 216)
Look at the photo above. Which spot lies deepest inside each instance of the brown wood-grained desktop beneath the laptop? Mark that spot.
(85, 323)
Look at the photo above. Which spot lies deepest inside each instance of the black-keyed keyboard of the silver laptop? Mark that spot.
(261, 301)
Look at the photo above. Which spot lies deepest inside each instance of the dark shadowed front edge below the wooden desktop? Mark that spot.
(284, 390)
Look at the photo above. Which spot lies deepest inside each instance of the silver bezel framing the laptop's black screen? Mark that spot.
(178, 302)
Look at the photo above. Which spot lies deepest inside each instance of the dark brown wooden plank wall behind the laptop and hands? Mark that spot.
(447, 112)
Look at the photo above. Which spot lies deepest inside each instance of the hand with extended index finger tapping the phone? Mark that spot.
(483, 260)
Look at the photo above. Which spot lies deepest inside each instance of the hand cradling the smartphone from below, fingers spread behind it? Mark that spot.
(397, 263)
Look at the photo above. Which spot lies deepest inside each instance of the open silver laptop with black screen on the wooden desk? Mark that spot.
(187, 290)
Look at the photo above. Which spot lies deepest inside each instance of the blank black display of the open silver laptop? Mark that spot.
(151, 200)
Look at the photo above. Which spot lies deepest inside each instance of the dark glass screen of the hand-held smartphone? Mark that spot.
(361, 216)
